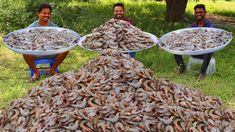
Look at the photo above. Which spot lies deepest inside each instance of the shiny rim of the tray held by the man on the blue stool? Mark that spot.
(47, 52)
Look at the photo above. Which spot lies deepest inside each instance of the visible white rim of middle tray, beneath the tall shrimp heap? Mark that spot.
(153, 37)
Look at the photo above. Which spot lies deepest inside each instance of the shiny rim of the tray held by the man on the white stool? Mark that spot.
(196, 52)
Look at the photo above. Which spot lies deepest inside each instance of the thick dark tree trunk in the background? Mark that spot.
(175, 10)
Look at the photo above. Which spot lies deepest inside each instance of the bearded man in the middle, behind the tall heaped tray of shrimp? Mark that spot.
(118, 13)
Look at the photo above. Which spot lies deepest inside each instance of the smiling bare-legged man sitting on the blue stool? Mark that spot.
(44, 15)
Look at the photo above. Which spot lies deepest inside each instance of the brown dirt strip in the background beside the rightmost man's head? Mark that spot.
(221, 20)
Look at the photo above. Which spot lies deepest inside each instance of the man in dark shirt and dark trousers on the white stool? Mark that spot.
(200, 13)
